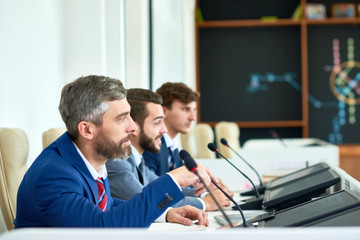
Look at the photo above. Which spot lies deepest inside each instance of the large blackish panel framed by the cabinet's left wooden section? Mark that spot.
(228, 58)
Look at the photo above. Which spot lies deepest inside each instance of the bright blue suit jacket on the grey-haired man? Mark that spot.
(59, 191)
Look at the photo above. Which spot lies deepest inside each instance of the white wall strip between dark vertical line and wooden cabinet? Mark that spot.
(173, 42)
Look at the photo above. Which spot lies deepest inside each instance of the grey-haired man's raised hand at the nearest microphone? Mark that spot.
(185, 178)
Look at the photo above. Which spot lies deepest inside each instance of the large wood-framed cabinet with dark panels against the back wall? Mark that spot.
(234, 46)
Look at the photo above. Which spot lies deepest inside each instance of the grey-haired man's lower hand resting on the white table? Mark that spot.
(186, 215)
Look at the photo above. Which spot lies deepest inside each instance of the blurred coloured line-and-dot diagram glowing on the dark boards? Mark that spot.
(344, 83)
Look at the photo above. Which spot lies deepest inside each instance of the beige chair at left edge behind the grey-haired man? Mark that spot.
(14, 151)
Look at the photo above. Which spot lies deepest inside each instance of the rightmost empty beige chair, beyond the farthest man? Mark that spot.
(231, 132)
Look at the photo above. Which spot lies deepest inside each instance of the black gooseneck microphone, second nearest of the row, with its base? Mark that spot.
(251, 203)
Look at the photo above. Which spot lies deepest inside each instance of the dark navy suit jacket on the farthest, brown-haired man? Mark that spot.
(158, 163)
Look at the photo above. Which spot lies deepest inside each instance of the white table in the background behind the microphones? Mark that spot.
(270, 157)
